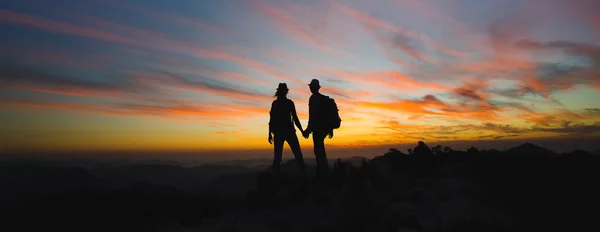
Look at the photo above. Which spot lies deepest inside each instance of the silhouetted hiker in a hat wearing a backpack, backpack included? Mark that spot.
(323, 118)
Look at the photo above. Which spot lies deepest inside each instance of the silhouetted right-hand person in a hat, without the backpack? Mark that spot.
(316, 126)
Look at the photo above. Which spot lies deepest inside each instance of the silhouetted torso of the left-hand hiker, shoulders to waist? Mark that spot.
(281, 115)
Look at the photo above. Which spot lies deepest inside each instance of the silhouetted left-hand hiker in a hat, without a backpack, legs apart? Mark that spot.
(281, 128)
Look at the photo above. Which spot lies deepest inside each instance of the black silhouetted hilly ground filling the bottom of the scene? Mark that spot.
(526, 188)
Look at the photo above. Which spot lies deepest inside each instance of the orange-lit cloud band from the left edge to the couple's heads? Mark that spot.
(144, 91)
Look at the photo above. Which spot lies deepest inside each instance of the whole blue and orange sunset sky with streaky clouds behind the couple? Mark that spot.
(110, 75)
